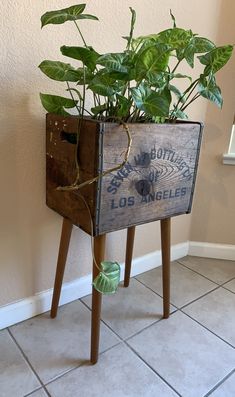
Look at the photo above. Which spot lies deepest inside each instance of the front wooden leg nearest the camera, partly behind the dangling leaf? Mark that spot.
(99, 248)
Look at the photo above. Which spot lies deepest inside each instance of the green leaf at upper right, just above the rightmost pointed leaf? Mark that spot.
(197, 45)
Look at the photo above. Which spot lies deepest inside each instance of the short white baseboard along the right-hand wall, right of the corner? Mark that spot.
(210, 250)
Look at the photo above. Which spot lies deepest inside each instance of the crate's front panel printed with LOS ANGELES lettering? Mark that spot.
(158, 180)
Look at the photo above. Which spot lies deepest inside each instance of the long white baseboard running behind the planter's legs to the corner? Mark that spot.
(40, 303)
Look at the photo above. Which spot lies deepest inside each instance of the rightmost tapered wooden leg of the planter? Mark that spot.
(166, 245)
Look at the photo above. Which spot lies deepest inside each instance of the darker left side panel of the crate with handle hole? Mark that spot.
(61, 168)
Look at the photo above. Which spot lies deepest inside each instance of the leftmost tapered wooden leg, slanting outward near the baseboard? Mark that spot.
(62, 256)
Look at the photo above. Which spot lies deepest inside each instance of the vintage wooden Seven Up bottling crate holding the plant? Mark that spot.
(157, 182)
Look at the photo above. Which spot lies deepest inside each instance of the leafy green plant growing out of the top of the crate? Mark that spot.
(140, 83)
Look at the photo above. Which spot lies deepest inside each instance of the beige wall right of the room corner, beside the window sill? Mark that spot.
(213, 217)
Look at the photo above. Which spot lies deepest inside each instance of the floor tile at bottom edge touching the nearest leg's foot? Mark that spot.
(119, 373)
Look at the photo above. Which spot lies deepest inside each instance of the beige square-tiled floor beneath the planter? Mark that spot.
(190, 355)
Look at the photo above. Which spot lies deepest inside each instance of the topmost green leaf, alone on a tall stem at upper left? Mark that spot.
(72, 13)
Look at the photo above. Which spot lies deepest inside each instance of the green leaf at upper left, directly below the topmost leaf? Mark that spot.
(87, 55)
